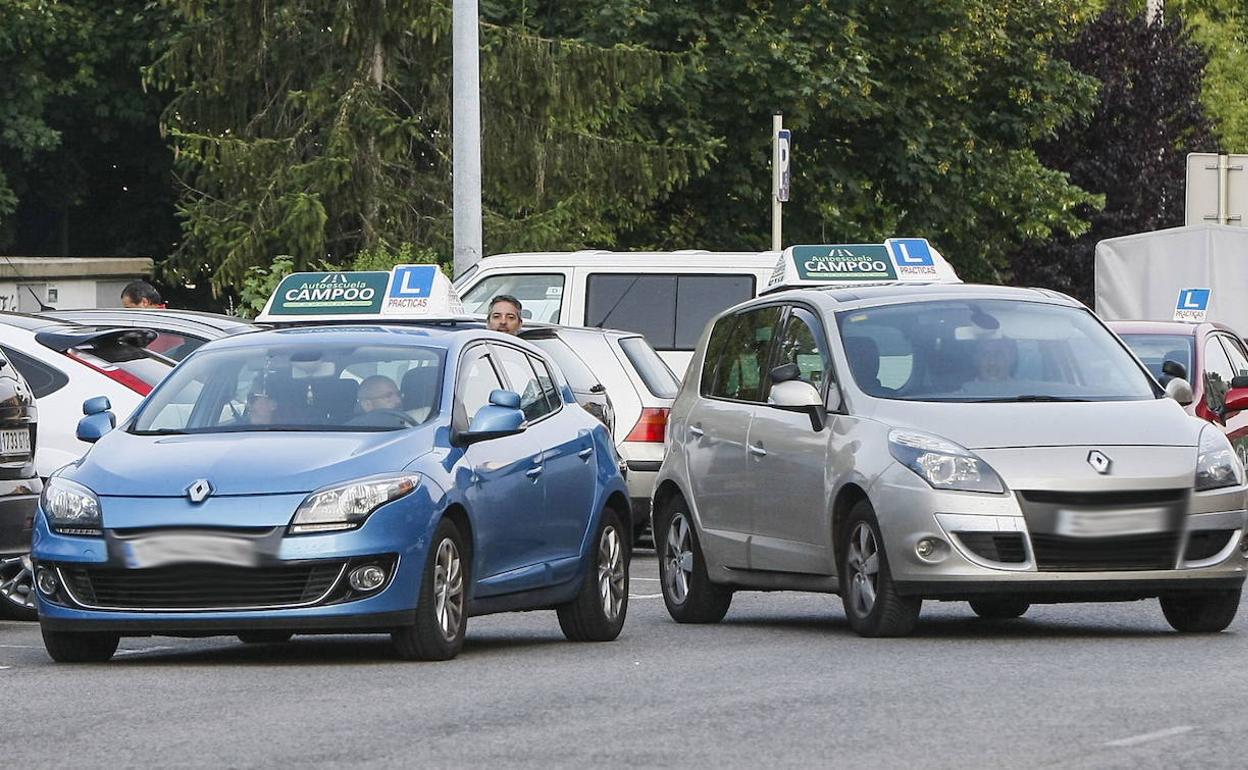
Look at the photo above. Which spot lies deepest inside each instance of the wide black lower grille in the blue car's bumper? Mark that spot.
(202, 587)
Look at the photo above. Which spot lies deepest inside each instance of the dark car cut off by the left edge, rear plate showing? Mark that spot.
(19, 492)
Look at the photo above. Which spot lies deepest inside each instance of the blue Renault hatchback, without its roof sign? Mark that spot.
(338, 480)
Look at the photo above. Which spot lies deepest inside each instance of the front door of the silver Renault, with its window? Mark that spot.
(788, 464)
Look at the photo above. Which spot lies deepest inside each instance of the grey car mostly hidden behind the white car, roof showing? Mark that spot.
(178, 333)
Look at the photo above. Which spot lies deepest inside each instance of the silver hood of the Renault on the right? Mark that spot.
(999, 426)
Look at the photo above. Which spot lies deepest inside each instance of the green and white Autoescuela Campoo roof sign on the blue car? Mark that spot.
(409, 291)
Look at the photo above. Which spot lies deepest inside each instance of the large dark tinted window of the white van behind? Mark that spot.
(671, 311)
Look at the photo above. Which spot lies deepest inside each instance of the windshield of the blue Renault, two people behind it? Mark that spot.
(298, 387)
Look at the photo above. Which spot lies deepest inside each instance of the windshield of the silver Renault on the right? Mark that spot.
(988, 350)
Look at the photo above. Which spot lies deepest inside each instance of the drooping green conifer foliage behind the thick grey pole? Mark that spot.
(320, 129)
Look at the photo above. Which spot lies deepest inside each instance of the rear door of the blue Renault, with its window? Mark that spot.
(567, 460)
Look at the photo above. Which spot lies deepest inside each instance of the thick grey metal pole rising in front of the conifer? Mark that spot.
(466, 134)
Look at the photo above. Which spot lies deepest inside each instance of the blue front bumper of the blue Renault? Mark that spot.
(300, 585)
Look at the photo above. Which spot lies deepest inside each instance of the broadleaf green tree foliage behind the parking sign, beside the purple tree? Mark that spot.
(909, 118)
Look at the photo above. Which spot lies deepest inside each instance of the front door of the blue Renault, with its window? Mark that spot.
(504, 494)
